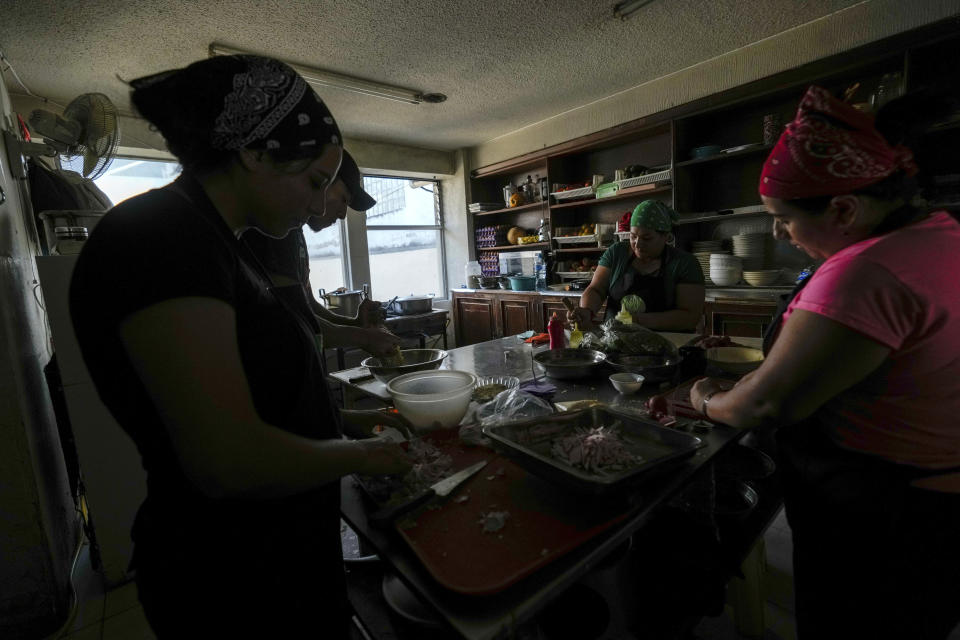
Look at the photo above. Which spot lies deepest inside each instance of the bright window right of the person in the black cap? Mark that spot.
(405, 237)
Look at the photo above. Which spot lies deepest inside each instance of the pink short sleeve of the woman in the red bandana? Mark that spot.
(863, 296)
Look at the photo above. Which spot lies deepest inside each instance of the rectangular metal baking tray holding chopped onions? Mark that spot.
(529, 442)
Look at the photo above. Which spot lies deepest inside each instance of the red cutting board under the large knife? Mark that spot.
(545, 522)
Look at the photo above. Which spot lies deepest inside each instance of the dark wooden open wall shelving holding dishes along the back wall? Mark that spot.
(716, 196)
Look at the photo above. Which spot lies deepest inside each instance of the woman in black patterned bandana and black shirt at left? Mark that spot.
(211, 374)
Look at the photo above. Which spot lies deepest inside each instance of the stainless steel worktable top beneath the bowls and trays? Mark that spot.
(498, 616)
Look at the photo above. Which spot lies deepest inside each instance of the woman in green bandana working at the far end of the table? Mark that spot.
(668, 280)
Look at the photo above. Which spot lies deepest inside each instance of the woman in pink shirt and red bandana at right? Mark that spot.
(863, 377)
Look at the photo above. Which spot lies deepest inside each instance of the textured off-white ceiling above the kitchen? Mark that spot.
(504, 64)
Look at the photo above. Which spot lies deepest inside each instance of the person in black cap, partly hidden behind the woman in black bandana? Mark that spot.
(288, 262)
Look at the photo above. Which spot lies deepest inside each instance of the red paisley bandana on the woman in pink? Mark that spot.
(818, 156)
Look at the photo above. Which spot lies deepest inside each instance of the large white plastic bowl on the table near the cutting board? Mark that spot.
(432, 399)
